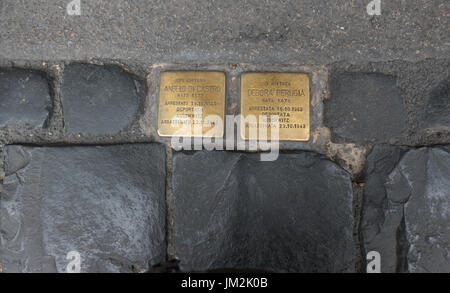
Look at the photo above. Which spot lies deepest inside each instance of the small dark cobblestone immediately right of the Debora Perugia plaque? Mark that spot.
(365, 107)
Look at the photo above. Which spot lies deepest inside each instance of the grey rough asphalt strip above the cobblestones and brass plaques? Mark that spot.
(182, 31)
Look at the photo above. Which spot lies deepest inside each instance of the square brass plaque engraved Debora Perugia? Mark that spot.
(285, 95)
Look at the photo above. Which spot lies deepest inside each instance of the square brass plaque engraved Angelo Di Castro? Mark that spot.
(191, 104)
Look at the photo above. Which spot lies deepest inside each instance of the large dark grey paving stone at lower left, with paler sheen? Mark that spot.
(107, 203)
